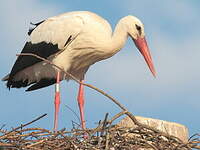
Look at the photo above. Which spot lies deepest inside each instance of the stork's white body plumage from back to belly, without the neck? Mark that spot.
(90, 39)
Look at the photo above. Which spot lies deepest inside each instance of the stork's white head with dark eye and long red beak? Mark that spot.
(135, 29)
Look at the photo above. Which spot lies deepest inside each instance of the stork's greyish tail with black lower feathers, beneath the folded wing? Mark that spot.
(36, 77)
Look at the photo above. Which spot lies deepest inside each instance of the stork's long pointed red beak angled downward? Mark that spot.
(143, 47)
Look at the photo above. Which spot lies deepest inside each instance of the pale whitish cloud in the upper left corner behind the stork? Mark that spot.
(15, 18)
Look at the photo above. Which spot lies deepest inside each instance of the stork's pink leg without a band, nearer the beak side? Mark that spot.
(80, 99)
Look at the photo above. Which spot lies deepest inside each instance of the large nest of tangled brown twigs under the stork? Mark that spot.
(104, 136)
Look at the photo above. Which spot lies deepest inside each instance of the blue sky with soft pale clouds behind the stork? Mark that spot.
(172, 30)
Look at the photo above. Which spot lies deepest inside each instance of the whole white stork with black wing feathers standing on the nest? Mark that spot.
(73, 41)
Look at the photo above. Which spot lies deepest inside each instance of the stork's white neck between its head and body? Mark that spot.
(119, 37)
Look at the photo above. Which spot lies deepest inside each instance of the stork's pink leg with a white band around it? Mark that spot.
(57, 101)
